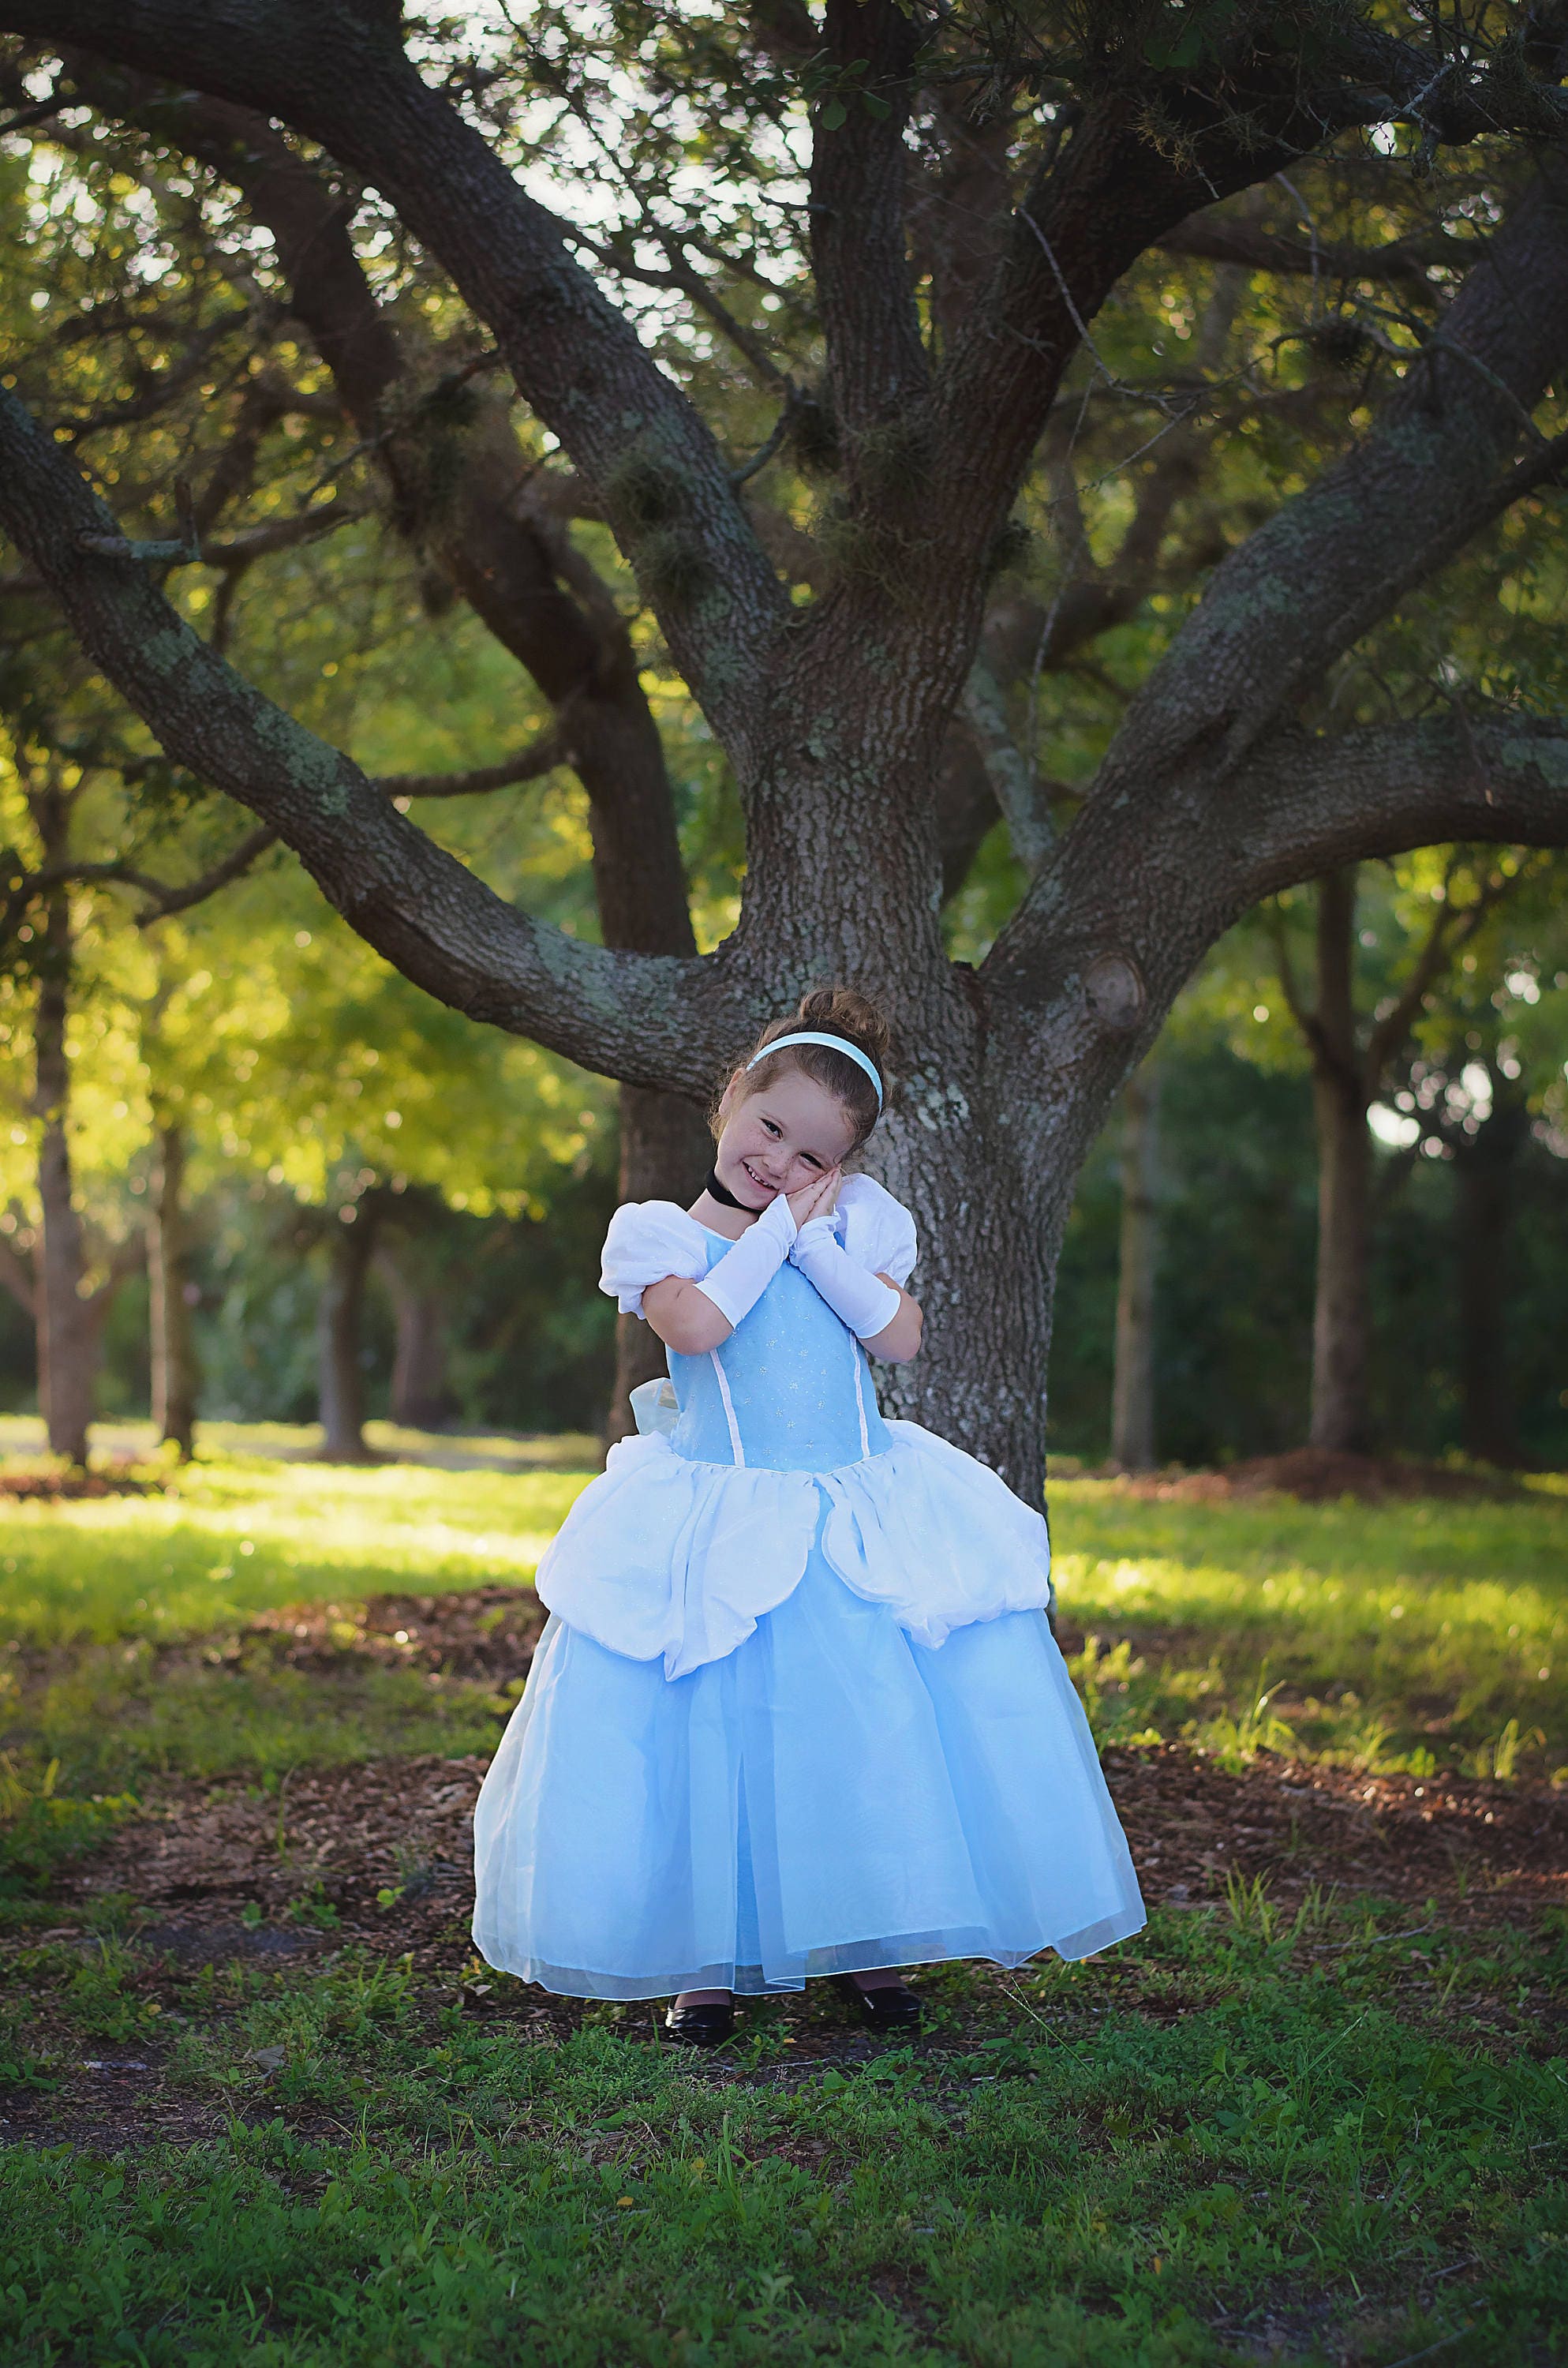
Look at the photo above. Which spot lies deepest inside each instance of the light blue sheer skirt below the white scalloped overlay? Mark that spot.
(825, 1798)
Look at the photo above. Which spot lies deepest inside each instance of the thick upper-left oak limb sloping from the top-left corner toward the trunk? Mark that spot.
(345, 79)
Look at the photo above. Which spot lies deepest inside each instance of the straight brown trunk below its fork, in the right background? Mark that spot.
(1344, 1183)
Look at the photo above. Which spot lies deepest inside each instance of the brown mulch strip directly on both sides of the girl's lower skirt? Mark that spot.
(316, 1855)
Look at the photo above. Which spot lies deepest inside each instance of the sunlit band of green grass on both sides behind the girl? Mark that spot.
(1387, 1637)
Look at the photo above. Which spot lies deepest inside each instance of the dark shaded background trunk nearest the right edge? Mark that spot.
(1484, 1218)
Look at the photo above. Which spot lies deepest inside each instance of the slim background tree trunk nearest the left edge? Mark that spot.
(70, 1323)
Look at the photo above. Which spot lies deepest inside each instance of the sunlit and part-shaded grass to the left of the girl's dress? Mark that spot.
(127, 1616)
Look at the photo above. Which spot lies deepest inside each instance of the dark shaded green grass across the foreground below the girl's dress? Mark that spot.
(1228, 2142)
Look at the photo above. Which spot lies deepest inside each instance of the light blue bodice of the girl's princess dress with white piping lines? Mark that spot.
(788, 1391)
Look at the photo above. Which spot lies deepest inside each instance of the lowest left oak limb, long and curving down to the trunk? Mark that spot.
(648, 1019)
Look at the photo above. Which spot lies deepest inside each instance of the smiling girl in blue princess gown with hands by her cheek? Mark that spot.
(797, 1709)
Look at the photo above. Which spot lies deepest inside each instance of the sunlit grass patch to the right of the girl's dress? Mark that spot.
(1389, 1637)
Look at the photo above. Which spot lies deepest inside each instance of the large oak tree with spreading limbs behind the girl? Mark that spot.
(977, 188)
